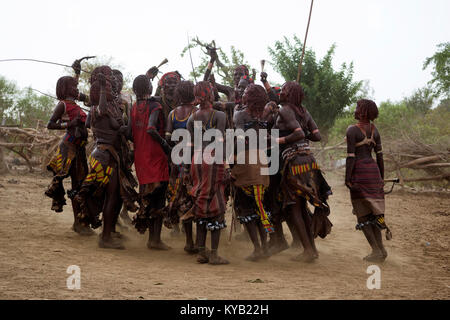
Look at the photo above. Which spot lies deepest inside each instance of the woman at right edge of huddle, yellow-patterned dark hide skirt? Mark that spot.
(302, 180)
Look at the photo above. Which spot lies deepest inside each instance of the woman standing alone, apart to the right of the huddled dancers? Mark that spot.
(364, 177)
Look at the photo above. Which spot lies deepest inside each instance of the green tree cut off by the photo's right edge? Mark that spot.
(441, 70)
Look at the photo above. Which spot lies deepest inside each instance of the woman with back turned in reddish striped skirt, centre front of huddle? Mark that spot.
(208, 178)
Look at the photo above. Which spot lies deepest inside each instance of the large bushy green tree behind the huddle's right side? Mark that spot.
(327, 91)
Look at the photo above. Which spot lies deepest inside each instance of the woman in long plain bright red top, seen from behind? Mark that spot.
(151, 150)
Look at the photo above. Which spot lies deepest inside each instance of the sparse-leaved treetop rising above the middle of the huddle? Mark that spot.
(224, 67)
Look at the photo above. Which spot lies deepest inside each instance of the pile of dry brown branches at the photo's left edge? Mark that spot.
(34, 145)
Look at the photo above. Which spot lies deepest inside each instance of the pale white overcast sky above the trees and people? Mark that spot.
(387, 40)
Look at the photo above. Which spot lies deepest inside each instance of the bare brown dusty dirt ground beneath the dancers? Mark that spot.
(37, 245)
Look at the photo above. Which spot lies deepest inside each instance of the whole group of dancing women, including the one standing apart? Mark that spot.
(196, 193)
